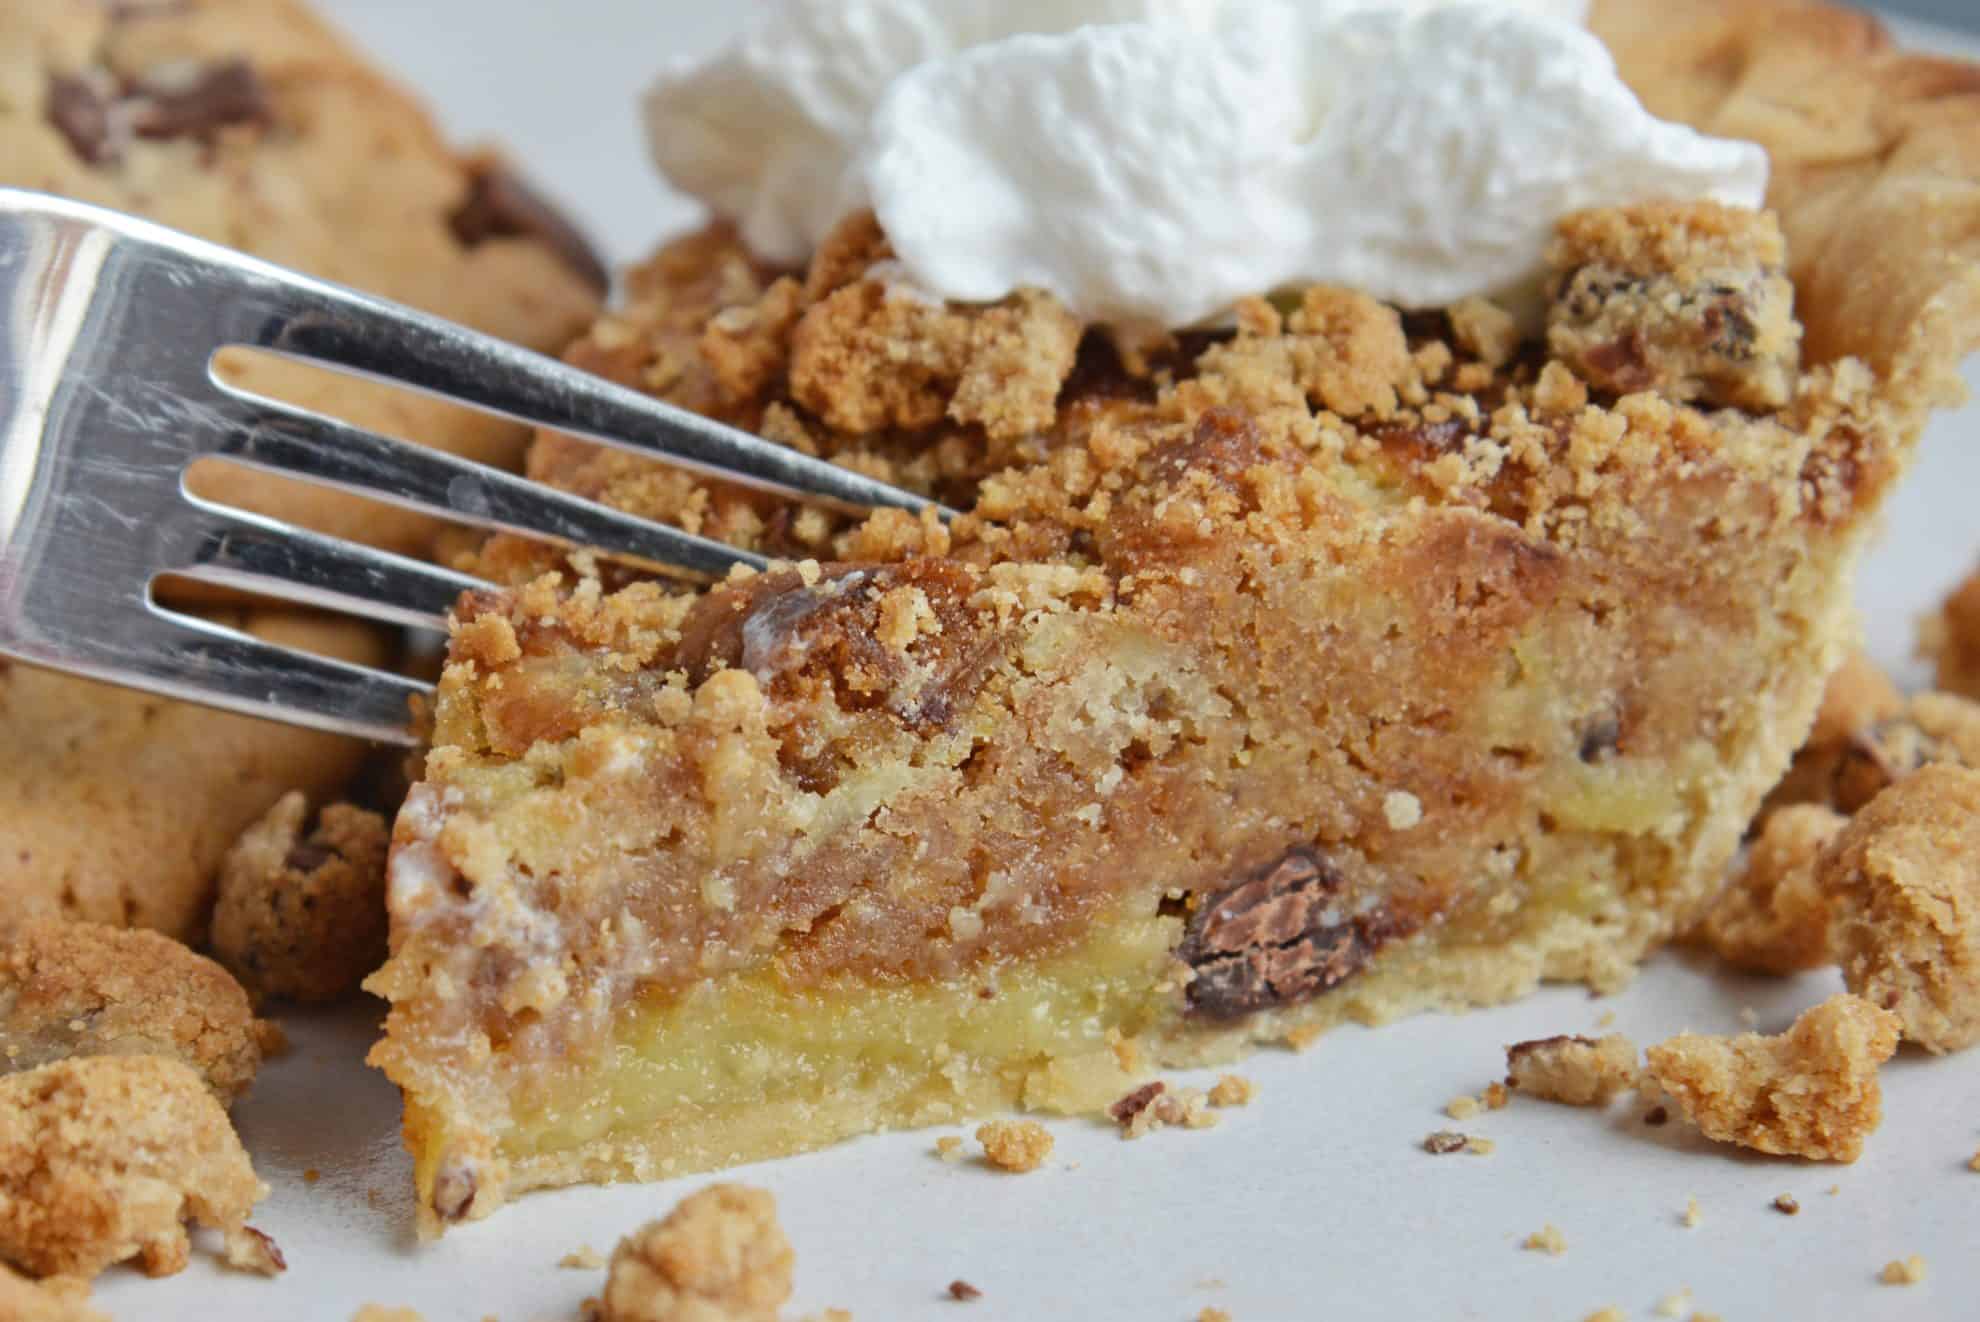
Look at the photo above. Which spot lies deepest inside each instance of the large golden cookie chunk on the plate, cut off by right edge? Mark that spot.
(1908, 882)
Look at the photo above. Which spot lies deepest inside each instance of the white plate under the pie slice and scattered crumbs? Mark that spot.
(1318, 1202)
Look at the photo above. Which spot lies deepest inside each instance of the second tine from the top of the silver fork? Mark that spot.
(296, 442)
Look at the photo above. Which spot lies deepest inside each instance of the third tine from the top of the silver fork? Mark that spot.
(274, 559)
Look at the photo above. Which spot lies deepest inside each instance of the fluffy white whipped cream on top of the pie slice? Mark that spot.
(1153, 161)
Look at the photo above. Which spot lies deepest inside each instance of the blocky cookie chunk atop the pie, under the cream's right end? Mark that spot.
(1696, 308)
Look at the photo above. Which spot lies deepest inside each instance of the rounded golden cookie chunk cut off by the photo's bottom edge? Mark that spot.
(718, 1258)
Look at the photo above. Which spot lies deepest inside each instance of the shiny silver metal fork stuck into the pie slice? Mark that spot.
(108, 393)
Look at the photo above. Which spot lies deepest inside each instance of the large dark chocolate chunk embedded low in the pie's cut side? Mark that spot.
(1274, 939)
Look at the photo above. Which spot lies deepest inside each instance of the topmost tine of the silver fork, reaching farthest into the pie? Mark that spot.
(371, 337)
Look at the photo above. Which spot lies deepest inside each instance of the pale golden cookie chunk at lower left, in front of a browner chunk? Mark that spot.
(108, 1159)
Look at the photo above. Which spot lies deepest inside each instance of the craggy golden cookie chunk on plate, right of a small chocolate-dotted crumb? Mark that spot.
(1811, 1091)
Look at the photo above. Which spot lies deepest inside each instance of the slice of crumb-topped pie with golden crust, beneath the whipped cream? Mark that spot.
(1334, 668)
